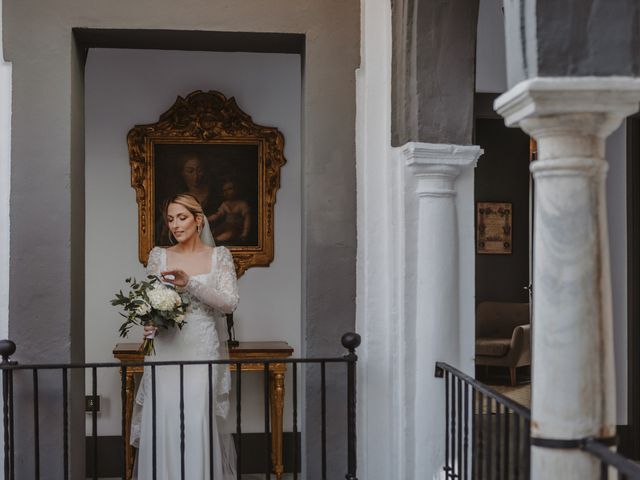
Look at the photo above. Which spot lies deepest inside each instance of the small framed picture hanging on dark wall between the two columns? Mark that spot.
(494, 227)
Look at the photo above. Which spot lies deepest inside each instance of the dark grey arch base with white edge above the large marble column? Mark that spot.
(551, 38)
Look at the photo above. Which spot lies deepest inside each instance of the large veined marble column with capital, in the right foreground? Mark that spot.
(573, 364)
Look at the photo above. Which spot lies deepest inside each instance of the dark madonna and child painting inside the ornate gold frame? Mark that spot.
(223, 177)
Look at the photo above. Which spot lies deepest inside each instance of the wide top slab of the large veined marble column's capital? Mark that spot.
(612, 98)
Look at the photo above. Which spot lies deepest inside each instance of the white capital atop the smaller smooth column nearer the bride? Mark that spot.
(437, 165)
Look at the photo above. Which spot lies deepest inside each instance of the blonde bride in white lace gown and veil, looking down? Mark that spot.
(207, 274)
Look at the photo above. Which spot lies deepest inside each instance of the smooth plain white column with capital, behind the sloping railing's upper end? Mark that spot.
(432, 331)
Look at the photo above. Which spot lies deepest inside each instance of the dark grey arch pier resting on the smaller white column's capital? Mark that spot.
(433, 71)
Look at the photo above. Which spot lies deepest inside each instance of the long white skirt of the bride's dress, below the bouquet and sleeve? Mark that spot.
(205, 446)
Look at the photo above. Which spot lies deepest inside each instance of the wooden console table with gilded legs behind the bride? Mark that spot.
(130, 353)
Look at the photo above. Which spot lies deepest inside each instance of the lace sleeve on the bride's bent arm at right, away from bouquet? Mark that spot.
(221, 290)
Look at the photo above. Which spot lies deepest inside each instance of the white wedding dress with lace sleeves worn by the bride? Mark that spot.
(202, 338)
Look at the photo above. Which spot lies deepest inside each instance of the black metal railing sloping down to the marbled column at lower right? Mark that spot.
(488, 435)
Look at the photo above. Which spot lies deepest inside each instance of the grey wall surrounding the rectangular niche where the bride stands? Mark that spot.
(47, 185)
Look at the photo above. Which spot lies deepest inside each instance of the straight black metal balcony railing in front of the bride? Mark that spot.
(34, 401)
